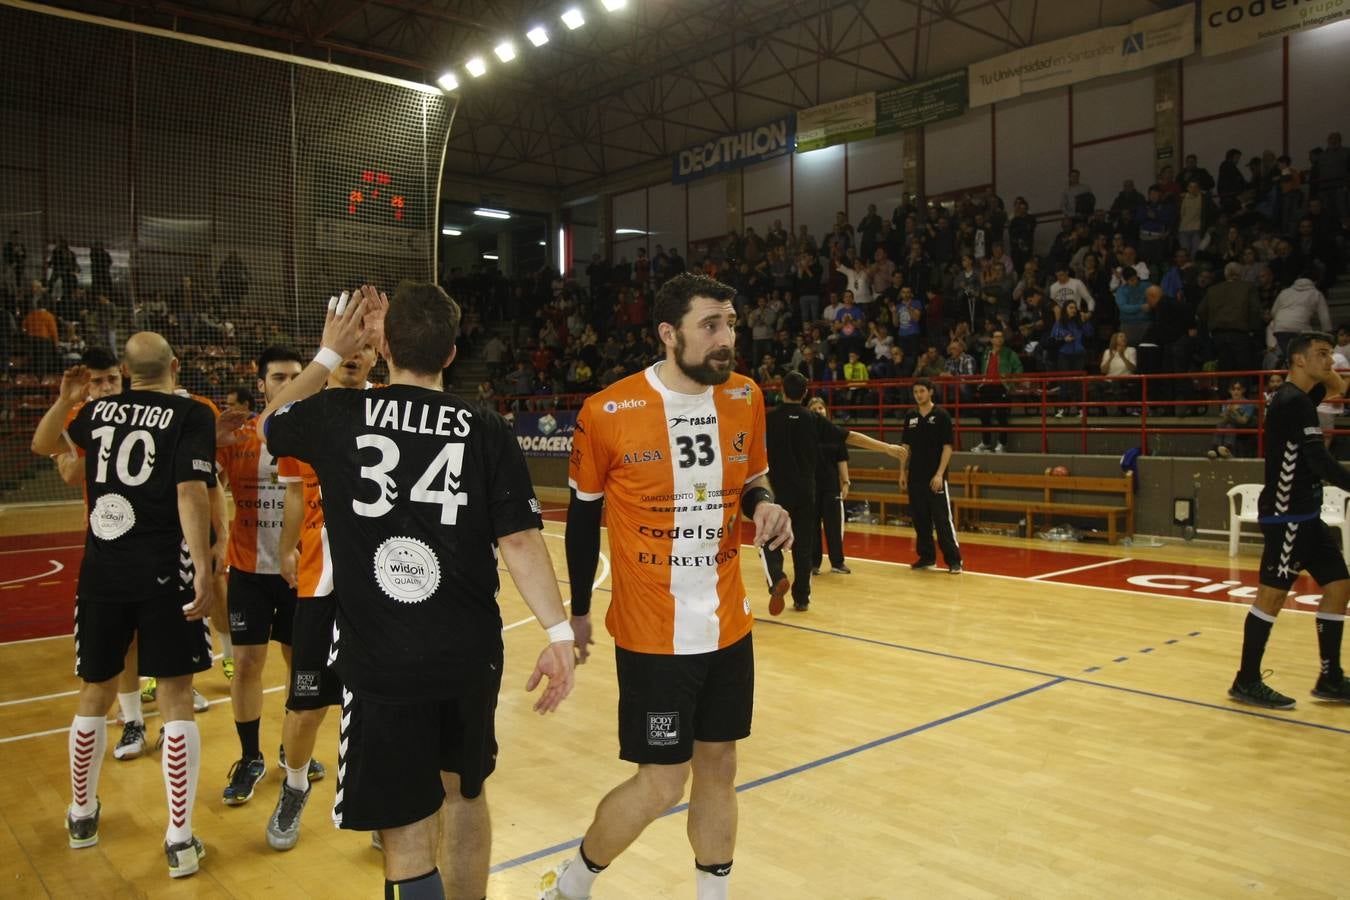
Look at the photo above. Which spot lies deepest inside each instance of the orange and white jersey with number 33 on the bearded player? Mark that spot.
(672, 469)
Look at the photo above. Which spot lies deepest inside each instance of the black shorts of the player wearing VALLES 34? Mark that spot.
(389, 775)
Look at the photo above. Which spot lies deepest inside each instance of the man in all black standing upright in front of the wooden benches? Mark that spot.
(928, 438)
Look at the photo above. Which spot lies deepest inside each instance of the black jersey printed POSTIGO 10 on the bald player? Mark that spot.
(140, 446)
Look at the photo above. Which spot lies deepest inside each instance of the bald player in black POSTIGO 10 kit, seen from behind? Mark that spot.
(146, 573)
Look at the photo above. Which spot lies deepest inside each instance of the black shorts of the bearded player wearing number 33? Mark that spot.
(668, 702)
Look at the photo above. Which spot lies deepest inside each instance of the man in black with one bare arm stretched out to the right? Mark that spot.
(796, 437)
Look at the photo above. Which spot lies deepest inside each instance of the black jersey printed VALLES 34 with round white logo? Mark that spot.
(418, 488)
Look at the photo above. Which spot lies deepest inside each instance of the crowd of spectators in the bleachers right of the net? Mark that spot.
(1195, 272)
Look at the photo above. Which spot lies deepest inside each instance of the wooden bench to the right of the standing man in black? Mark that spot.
(1040, 500)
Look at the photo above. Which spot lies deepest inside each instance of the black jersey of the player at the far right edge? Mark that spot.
(1293, 489)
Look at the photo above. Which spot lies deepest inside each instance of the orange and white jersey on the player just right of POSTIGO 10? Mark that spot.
(260, 500)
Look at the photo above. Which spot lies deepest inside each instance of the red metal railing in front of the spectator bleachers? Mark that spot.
(867, 407)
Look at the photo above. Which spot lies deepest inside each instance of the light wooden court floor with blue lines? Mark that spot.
(916, 736)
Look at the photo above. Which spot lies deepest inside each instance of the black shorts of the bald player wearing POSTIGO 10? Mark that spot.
(169, 646)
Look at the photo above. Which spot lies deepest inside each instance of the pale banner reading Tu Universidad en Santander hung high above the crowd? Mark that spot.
(1106, 52)
